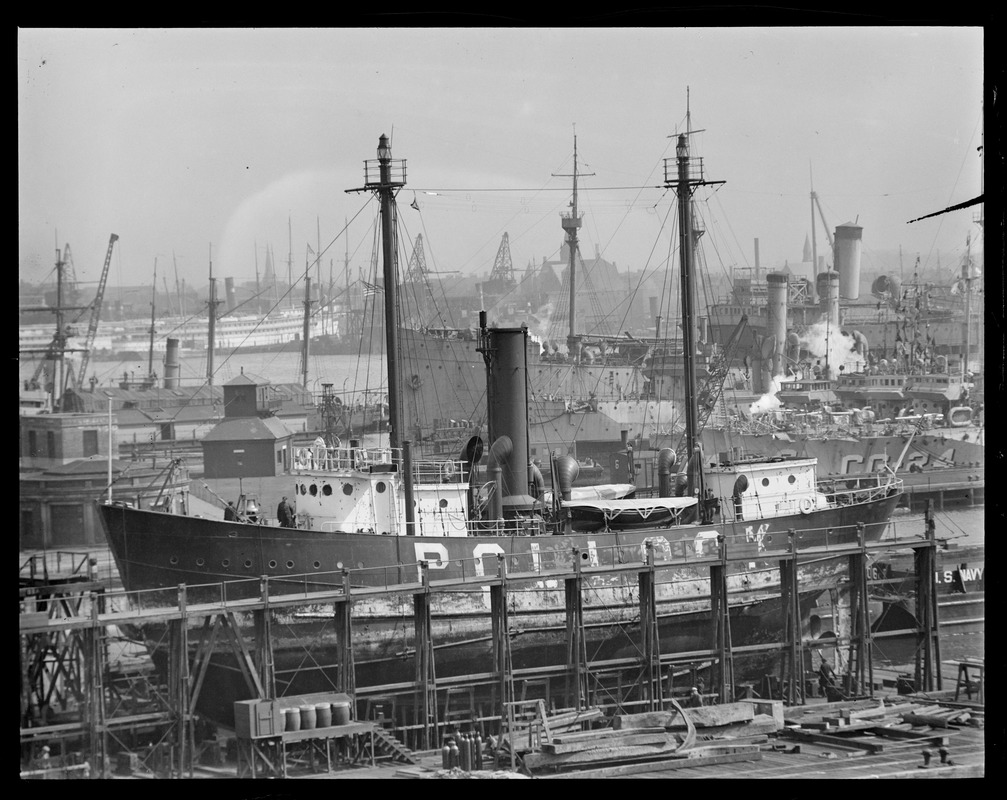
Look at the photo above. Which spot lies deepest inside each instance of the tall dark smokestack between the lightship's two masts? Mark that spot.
(508, 413)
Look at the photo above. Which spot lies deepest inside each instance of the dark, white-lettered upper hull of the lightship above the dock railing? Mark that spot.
(154, 551)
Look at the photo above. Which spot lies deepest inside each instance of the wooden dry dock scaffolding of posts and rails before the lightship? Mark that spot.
(64, 646)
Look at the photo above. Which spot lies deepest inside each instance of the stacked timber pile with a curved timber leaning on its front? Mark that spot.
(631, 744)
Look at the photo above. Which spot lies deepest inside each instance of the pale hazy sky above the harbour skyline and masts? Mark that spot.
(197, 145)
